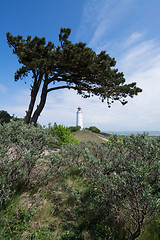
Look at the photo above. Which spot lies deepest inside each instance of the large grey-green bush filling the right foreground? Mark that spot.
(120, 192)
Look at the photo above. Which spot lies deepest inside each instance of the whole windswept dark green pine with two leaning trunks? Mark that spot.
(68, 66)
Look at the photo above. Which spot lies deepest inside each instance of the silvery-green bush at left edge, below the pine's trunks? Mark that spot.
(21, 145)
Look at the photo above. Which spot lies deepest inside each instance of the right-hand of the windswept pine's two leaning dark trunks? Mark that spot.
(41, 104)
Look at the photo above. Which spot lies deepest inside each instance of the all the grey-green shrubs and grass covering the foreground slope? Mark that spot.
(85, 191)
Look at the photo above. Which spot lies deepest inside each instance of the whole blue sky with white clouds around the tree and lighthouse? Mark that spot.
(127, 29)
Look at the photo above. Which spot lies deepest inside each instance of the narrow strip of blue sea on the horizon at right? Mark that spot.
(128, 133)
